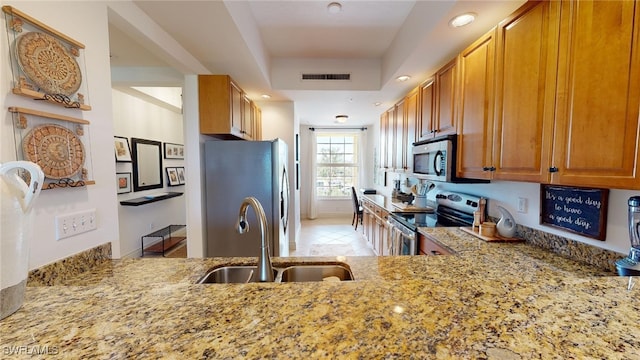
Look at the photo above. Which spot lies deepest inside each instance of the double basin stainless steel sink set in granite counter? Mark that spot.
(240, 274)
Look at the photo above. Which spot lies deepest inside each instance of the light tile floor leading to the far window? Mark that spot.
(331, 237)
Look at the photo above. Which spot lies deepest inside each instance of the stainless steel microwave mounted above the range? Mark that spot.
(435, 160)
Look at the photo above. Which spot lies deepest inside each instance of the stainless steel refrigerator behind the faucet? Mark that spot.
(238, 169)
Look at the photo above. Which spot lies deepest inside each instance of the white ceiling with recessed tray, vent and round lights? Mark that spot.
(266, 46)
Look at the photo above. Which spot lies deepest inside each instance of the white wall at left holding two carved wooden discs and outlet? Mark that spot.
(86, 23)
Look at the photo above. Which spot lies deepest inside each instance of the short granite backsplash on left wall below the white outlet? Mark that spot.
(57, 272)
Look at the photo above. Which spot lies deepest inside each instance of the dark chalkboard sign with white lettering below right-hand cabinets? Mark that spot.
(579, 210)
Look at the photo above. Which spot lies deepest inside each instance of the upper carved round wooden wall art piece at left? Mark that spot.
(48, 63)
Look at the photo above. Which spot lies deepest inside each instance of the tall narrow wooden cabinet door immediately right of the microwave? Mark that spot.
(475, 115)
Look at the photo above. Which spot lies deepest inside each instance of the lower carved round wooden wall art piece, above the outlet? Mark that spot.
(57, 150)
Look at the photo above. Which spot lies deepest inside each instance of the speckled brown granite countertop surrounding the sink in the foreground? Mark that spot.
(490, 300)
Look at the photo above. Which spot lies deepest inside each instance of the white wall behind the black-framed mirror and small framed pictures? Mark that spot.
(134, 117)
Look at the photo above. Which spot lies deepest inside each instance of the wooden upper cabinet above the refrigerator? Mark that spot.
(225, 111)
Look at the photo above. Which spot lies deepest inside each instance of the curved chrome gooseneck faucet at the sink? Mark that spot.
(265, 270)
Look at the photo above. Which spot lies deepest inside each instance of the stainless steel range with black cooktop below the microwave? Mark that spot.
(452, 210)
